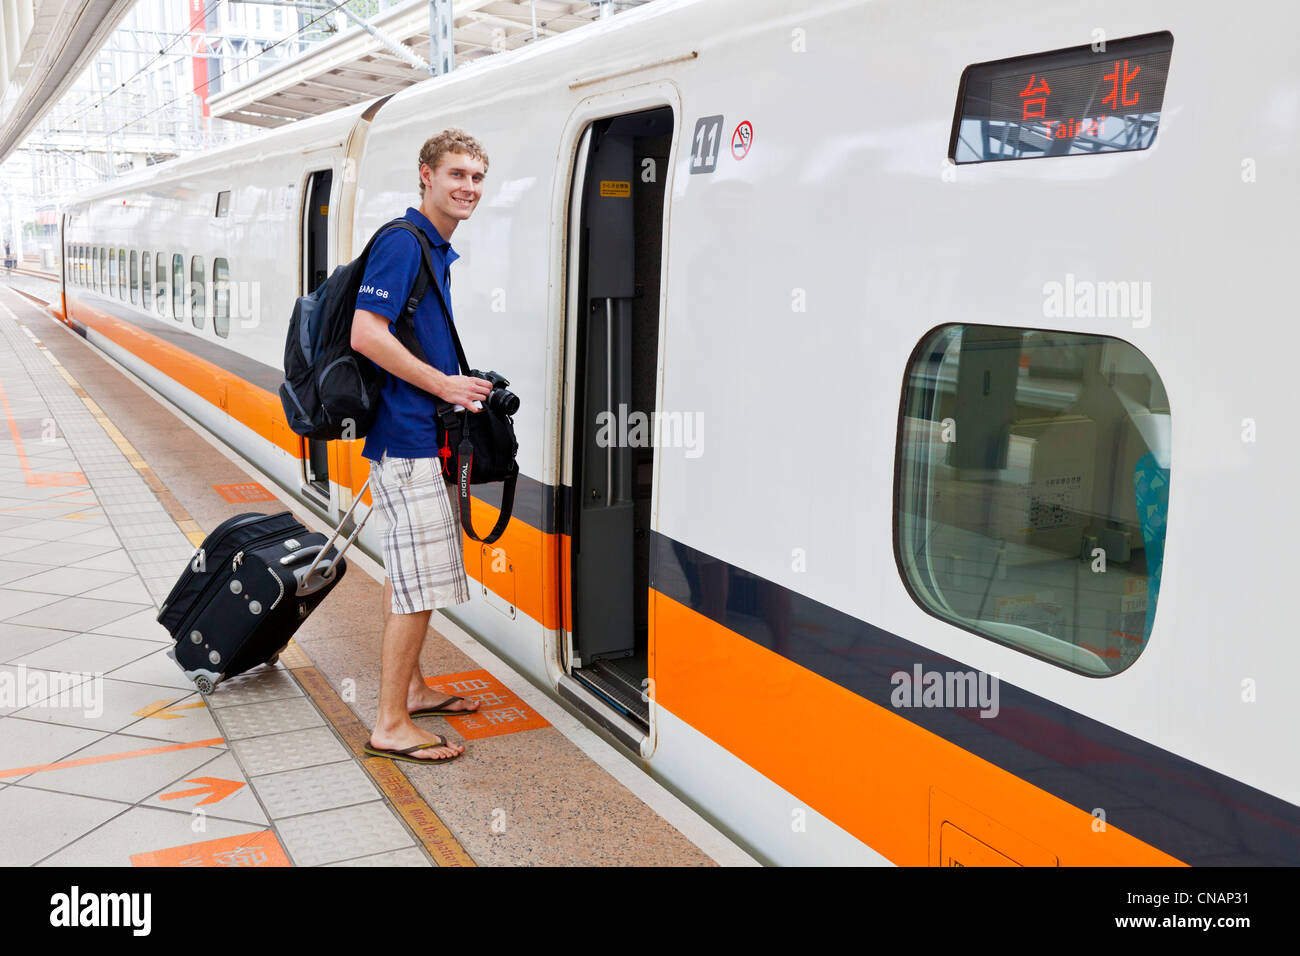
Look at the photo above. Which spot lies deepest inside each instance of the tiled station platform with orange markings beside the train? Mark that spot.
(109, 755)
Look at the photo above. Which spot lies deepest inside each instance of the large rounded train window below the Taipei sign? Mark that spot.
(1034, 491)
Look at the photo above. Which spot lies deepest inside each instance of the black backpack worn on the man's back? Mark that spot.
(331, 391)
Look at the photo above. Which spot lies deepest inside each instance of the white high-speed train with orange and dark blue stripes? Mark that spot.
(903, 466)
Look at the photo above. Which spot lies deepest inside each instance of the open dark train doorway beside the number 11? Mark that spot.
(617, 249)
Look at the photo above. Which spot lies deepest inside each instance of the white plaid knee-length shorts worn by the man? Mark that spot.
(422, 546)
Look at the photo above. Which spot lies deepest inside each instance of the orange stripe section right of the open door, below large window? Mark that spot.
(877, 775)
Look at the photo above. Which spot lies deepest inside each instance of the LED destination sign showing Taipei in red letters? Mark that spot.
(1065, 103)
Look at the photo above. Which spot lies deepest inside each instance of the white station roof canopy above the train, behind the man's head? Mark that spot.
(357, 66)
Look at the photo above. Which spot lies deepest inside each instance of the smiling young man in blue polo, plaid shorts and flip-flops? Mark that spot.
(422, 547)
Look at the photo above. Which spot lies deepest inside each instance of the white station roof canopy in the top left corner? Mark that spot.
(45, 46)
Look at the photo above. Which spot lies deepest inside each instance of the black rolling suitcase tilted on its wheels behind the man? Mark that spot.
(252, 585)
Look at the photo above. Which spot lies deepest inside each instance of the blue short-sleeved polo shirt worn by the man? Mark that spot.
(406, 426)
